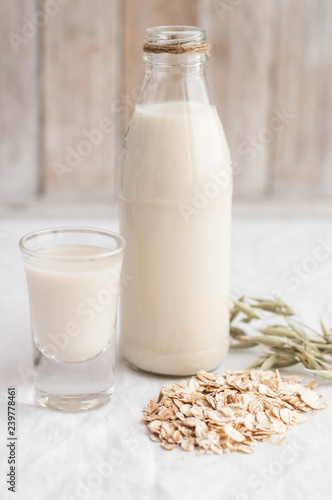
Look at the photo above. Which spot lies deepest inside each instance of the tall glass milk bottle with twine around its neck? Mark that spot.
(175, 190)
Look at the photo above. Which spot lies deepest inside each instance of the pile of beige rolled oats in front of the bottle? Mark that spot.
(228, 411)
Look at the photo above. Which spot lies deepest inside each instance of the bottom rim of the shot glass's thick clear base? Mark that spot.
(73, 403)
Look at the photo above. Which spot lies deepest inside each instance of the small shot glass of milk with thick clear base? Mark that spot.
(73, 278)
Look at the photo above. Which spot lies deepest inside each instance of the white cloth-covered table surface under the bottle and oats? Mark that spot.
(107, 454)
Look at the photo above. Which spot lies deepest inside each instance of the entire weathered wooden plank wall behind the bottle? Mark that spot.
(72, 68)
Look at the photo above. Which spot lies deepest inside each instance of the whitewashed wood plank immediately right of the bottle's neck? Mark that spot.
(242, 35)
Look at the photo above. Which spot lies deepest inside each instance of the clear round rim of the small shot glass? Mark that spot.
(121, 243)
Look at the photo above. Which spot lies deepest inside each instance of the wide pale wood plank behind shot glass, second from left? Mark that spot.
(82, 78)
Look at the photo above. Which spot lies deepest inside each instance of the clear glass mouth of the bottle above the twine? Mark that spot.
(164, 36)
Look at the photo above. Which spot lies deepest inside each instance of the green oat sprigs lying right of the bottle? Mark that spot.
(273, 324)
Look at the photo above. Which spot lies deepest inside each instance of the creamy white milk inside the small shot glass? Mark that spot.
(73, 303)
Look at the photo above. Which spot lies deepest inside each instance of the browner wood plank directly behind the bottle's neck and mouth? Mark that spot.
(138, 16)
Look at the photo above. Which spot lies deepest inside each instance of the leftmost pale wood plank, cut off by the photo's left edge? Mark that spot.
(19, 109)
